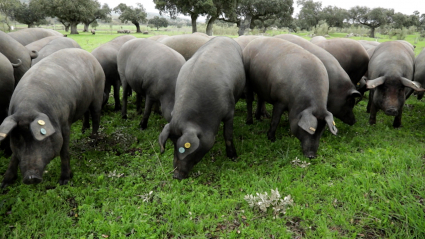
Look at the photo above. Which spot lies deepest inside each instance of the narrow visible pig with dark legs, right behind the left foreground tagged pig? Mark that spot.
(107, 54)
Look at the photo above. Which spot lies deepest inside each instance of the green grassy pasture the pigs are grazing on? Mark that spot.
(367, 182)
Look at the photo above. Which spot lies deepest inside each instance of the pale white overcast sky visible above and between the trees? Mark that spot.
(403, 6)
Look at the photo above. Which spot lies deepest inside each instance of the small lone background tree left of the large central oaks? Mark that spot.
(135, 15)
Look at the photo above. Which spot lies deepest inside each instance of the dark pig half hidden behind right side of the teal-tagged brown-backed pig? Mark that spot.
(342, 92)
